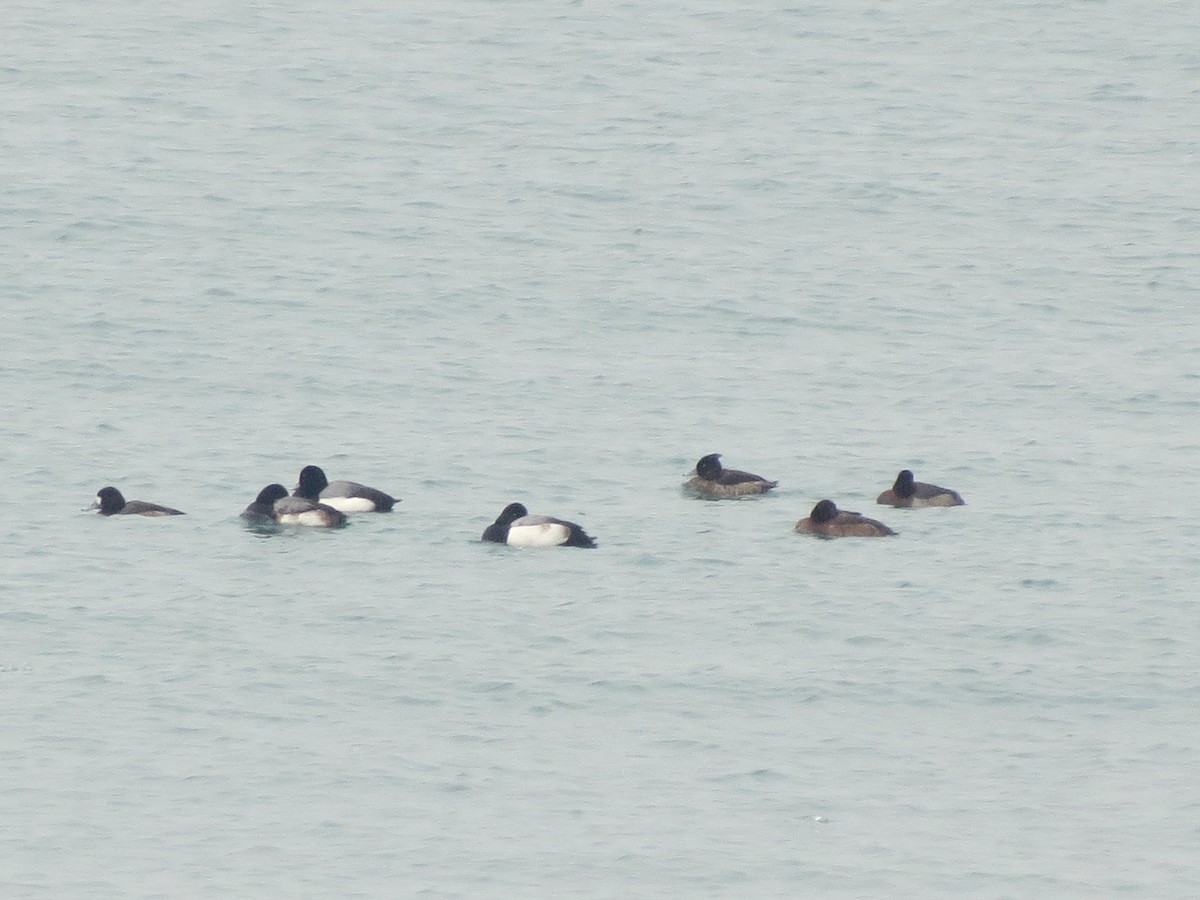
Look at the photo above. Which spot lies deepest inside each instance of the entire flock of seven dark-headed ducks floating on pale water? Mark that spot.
(321, 503)
